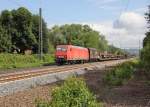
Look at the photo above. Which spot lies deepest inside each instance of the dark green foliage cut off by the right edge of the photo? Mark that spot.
(145, 53)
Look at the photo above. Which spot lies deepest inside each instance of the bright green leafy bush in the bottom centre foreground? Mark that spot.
(73, 93)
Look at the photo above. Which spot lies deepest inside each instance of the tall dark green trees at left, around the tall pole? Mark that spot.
(21, 27)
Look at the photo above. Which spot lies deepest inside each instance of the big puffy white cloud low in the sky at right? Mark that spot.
(125, 32)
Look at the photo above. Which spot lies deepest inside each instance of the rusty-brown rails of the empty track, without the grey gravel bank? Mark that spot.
(33, 73)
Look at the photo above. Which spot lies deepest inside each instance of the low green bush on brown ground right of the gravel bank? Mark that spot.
(120, 74)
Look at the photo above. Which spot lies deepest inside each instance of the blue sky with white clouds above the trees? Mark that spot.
(121, 21)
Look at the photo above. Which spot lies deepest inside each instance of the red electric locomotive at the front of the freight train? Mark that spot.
(71, 54)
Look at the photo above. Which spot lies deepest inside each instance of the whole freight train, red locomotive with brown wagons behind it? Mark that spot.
(75, 54)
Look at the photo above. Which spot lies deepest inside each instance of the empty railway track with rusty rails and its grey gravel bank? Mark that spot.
(22, 80)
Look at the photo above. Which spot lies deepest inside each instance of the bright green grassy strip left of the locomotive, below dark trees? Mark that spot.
(8, 61)
